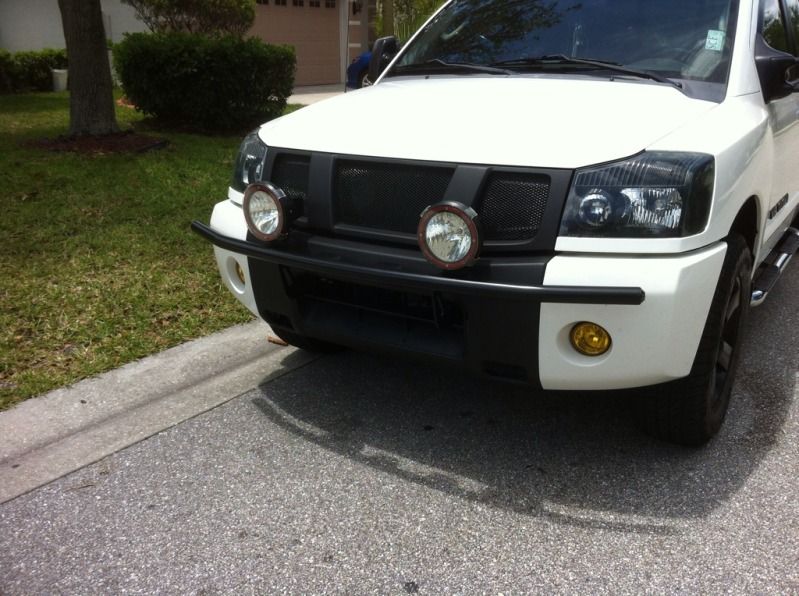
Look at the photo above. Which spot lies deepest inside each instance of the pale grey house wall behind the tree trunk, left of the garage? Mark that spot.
(36, 24)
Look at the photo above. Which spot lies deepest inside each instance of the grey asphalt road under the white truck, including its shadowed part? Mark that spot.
(359, 474)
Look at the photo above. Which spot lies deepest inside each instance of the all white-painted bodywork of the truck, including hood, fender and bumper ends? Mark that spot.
(565, 122)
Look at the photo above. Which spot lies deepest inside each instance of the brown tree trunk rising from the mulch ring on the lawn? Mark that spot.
(91, 98)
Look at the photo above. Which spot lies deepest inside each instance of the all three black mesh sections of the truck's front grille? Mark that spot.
(388, 197)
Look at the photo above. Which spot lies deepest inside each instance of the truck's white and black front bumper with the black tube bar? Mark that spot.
(506, 317)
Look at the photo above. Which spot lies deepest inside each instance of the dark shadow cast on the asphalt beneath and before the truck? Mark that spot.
(574, 458)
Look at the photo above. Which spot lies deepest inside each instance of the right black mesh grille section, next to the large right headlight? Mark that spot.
(513, 205)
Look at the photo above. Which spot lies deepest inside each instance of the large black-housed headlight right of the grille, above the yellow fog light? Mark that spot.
(655, 194)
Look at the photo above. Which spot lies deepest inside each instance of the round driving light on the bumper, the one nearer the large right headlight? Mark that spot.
(448, 235)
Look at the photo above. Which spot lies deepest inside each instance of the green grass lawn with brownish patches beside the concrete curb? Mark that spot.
(98, 265)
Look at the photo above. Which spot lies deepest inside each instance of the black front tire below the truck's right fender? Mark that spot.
(690, 411)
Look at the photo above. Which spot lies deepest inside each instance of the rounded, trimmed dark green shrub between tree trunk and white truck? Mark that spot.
(223, 83)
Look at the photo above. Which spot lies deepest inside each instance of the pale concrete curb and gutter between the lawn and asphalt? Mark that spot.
(46, 437)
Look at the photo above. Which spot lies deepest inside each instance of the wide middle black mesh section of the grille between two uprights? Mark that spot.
(386, 196)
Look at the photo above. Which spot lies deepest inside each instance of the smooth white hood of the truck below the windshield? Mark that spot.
(515, 121)
